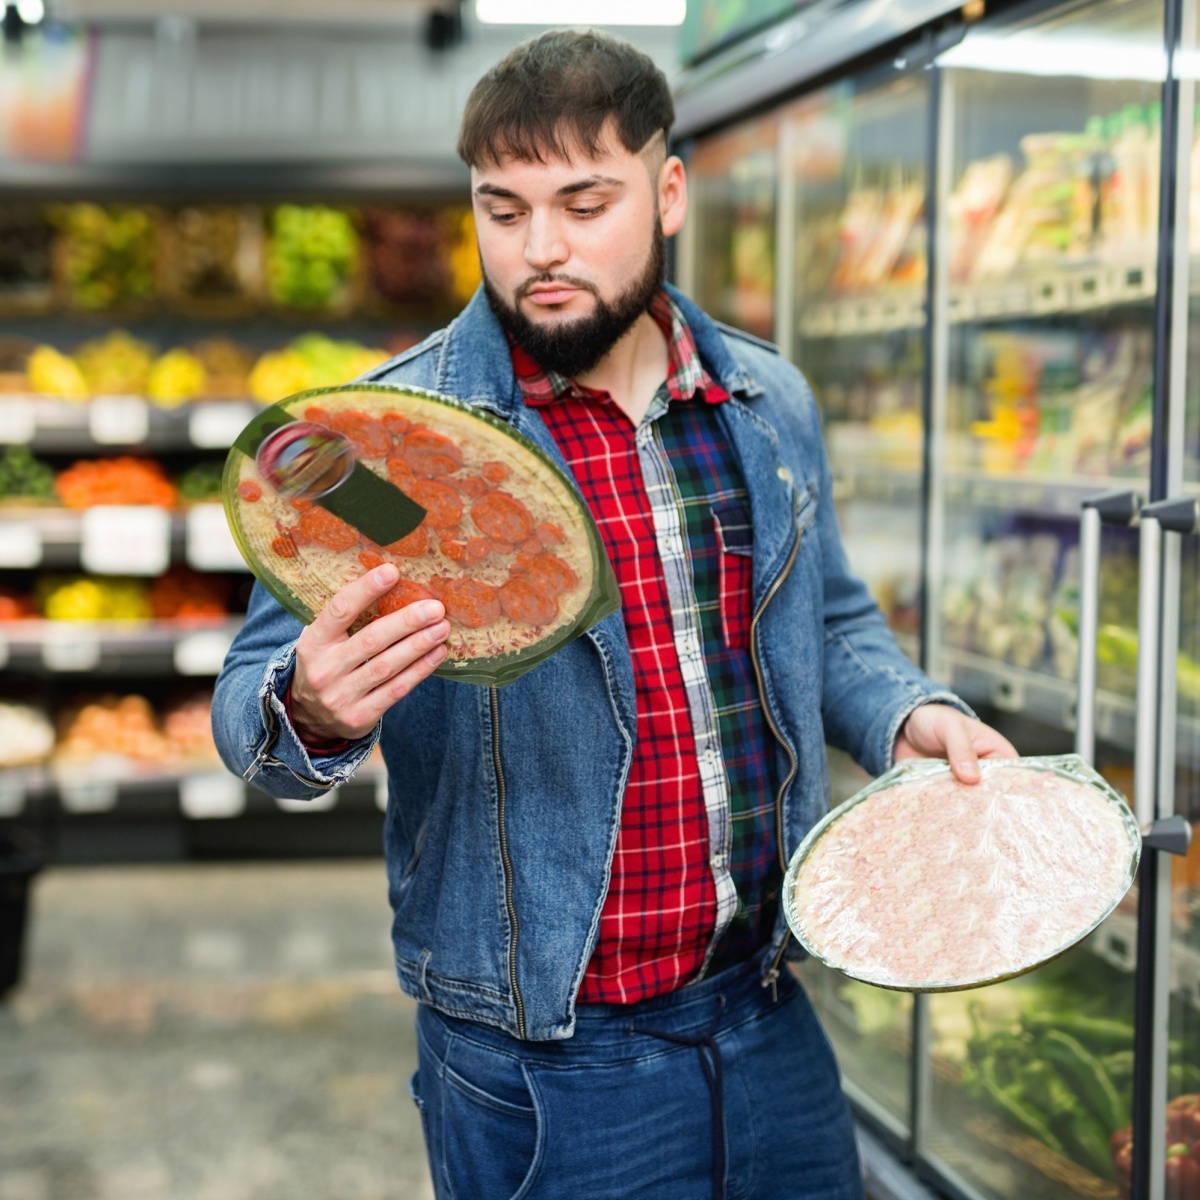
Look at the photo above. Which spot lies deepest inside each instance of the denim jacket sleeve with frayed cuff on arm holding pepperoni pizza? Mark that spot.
(250, 723)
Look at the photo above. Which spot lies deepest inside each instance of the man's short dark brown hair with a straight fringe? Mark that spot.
(554, 94)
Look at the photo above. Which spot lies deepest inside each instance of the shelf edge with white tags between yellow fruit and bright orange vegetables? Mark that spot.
(115, 423)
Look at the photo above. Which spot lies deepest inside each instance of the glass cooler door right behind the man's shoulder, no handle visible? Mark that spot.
(853, 236)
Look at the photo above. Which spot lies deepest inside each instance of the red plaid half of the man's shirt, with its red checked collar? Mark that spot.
(659, 915)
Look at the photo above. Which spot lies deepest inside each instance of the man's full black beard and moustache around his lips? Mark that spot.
(575, 347)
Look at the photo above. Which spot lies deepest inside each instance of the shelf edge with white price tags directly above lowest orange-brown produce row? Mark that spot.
(116, 649)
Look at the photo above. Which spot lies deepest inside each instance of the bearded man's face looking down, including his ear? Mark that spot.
(574, 250)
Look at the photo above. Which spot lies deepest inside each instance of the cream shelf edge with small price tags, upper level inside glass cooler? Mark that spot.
(1081, 287)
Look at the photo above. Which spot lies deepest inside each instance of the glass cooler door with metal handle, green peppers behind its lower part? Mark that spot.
(1043, 344)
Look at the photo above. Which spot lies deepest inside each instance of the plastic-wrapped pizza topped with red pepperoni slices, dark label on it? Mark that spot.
(327, 485)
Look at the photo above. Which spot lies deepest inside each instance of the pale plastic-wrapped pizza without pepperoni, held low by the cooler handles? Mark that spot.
(923, 884)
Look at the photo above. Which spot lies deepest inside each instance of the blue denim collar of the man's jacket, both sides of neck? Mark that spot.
(476, 365)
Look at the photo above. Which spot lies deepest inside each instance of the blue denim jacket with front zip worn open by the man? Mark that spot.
(505, 803)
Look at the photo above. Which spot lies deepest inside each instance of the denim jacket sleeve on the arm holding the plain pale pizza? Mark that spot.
(871, 687)
